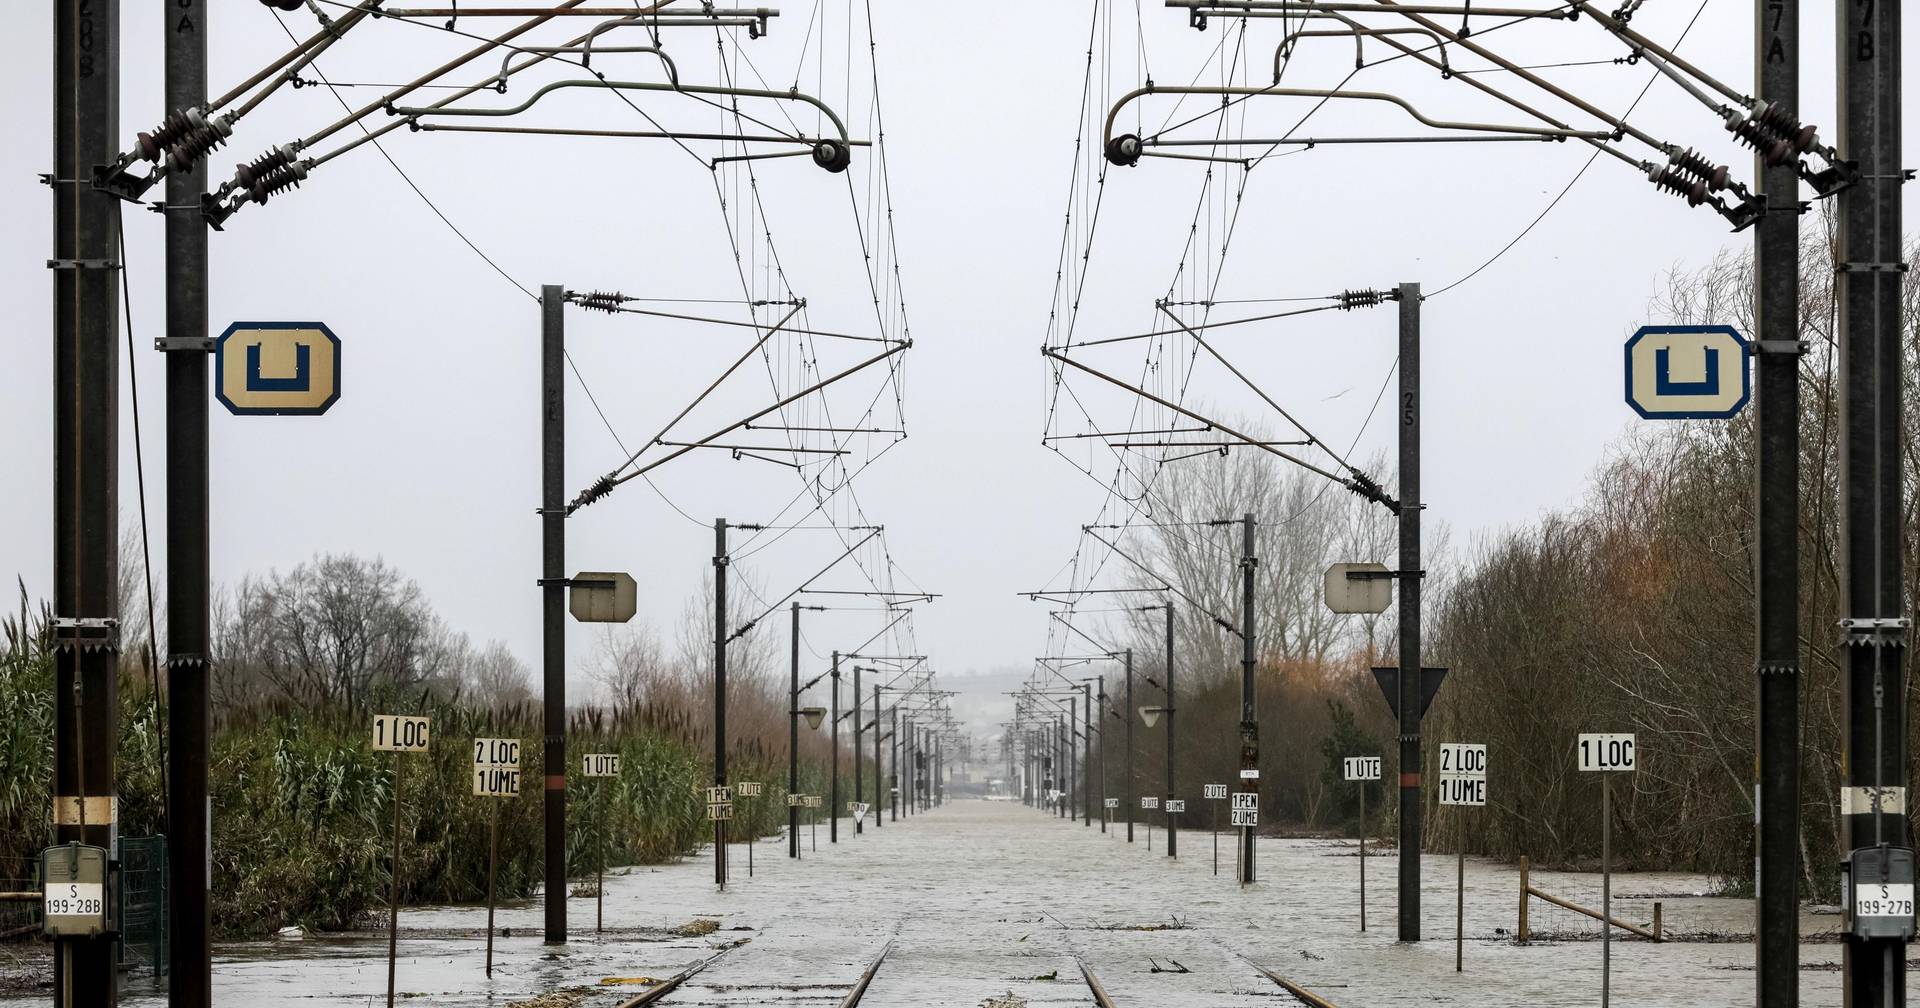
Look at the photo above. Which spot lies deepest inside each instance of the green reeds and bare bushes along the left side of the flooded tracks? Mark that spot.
(304, 807)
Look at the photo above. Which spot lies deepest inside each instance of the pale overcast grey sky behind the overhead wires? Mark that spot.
(431, 458)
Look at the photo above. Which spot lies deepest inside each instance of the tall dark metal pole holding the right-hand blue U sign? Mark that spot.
(1777, 519)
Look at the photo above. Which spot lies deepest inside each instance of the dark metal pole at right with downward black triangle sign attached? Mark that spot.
(1410, 612)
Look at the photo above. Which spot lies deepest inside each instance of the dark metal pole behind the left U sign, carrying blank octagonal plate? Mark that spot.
(554, 600)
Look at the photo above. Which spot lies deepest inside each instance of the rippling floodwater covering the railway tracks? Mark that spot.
(999, 905)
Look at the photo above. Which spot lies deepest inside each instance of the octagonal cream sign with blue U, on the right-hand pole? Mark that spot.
(1687, 373)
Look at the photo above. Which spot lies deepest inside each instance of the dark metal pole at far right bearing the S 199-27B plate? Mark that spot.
(1873, 375)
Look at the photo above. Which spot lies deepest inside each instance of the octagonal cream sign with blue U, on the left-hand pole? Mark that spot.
(277, 370)
